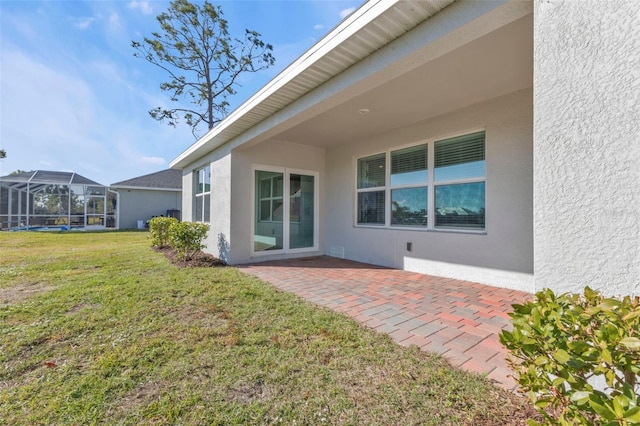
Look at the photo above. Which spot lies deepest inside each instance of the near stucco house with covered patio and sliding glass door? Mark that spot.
(490, 141)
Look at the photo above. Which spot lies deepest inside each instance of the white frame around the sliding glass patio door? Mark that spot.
(287, 172)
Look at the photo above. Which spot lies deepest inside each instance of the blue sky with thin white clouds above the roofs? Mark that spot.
(73, 97)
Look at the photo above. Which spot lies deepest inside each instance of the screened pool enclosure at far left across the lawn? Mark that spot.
(49, 200)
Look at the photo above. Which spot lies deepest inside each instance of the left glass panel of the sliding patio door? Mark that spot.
(268, 229)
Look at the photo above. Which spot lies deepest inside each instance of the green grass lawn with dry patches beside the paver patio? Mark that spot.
(100, 328)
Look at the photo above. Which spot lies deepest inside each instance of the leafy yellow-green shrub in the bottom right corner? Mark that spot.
(560, 344)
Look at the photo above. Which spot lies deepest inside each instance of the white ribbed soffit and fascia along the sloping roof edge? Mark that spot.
(371, 27)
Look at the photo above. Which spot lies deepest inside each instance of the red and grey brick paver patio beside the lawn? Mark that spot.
(457, 319)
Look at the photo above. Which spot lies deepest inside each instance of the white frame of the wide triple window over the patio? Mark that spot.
(430, 184)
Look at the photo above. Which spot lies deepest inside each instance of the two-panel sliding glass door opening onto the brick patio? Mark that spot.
(285, 217)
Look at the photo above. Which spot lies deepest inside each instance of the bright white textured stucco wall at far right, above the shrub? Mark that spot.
(587, 145)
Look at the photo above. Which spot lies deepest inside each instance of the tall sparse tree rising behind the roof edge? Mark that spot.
(203, 61)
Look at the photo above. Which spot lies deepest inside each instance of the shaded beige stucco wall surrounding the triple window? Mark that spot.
(503, 256)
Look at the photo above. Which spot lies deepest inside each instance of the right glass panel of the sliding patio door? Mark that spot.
(301, 211)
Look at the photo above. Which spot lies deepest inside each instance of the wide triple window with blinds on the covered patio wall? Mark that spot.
(404, 196)
